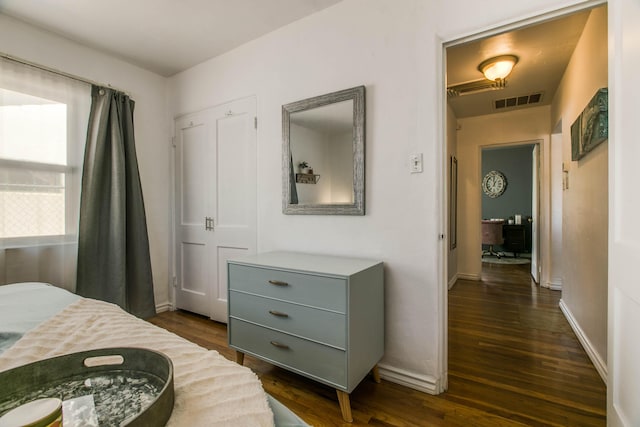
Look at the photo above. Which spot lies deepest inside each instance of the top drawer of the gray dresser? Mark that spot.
(308, 289)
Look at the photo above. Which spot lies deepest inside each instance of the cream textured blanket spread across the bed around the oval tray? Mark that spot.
(209, 389)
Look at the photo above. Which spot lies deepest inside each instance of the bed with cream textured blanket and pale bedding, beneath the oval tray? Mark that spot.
(38, 321)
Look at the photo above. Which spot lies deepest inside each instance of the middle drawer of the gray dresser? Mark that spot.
(327, 327)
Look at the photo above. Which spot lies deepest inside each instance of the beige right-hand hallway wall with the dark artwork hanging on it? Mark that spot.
(585, 202)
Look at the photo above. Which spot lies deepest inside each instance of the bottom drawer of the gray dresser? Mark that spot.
(319, 361)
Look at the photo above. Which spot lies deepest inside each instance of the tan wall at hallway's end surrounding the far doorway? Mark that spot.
(528, 125)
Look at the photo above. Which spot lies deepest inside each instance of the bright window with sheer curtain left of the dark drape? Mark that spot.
(43, 122)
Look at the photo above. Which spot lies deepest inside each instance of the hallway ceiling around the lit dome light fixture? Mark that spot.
(544, 50)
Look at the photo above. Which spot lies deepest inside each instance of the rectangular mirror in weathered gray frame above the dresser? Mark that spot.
(323, 154)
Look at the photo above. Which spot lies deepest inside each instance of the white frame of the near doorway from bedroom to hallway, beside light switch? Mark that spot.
(442, 43)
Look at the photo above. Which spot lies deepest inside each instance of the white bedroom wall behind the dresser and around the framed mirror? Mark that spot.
(380, 45)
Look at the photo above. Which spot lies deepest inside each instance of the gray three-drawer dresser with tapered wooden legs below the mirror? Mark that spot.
(319, 316)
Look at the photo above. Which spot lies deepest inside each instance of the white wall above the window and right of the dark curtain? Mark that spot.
(151, 123)
